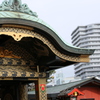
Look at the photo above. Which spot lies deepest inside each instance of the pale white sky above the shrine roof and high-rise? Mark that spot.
(65, 15)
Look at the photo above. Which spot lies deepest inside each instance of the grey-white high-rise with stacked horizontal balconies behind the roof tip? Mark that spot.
(88, 37)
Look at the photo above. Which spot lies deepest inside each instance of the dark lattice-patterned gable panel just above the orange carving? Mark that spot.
(19, 50)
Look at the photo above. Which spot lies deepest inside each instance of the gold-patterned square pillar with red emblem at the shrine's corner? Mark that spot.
(40, 88)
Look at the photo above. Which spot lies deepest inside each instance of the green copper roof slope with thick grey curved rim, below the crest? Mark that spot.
(7, 17)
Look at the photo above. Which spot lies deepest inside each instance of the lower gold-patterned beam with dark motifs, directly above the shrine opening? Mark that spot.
(19, 71)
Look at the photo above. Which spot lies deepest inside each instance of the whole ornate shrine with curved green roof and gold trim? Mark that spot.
(29, 48)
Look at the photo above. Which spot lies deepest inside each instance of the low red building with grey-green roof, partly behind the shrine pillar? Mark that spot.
(85, 89)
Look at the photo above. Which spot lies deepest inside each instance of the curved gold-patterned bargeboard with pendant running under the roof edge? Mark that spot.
(18, 34)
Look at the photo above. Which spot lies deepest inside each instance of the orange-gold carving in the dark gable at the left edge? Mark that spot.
(7, 54)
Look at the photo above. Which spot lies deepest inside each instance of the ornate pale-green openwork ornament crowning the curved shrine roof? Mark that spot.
(17, 6)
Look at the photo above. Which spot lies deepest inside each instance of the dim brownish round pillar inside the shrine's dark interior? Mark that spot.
(23, 92)
